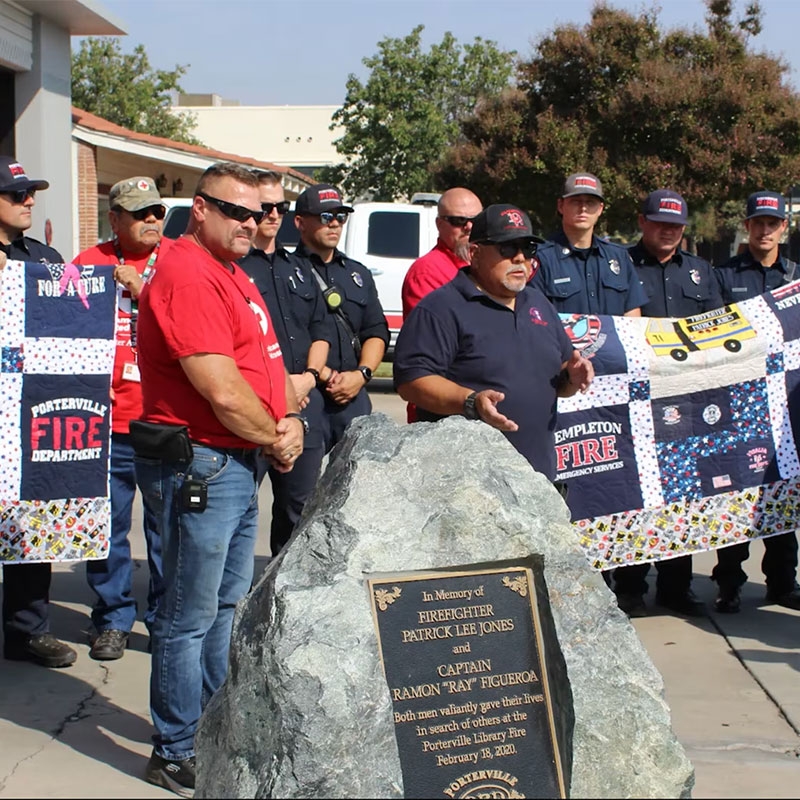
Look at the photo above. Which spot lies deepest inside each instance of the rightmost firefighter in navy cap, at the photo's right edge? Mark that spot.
(760, 268)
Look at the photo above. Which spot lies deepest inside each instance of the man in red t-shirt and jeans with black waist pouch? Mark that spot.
(214, 391)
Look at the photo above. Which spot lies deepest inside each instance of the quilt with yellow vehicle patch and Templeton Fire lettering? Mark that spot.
(687, 439)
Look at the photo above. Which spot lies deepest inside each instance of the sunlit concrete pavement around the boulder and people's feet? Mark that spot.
(732, 682)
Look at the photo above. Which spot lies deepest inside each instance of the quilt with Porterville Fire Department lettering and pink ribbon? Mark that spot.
(57, 334)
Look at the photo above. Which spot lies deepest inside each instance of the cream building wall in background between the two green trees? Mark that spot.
(290, 136)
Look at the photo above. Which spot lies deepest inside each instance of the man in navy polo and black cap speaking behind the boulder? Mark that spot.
(491, 347)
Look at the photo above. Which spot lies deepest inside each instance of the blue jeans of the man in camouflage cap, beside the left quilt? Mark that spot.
(111, 579)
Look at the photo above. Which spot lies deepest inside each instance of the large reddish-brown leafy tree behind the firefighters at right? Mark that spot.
(642, 109)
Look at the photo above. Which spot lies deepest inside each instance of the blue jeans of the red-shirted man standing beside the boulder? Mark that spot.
(208, 567)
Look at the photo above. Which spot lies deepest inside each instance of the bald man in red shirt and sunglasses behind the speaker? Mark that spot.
(457, 208)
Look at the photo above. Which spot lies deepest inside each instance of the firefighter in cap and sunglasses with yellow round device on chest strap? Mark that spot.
(362, 333)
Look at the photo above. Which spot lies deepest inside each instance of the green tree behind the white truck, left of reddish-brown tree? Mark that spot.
(401, 121)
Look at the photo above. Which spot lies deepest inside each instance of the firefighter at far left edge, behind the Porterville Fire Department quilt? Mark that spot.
(26, 587)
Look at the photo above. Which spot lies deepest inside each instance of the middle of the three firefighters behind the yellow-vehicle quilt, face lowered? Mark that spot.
(678, 284)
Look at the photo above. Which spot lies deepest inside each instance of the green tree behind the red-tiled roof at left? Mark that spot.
(126, 90)
